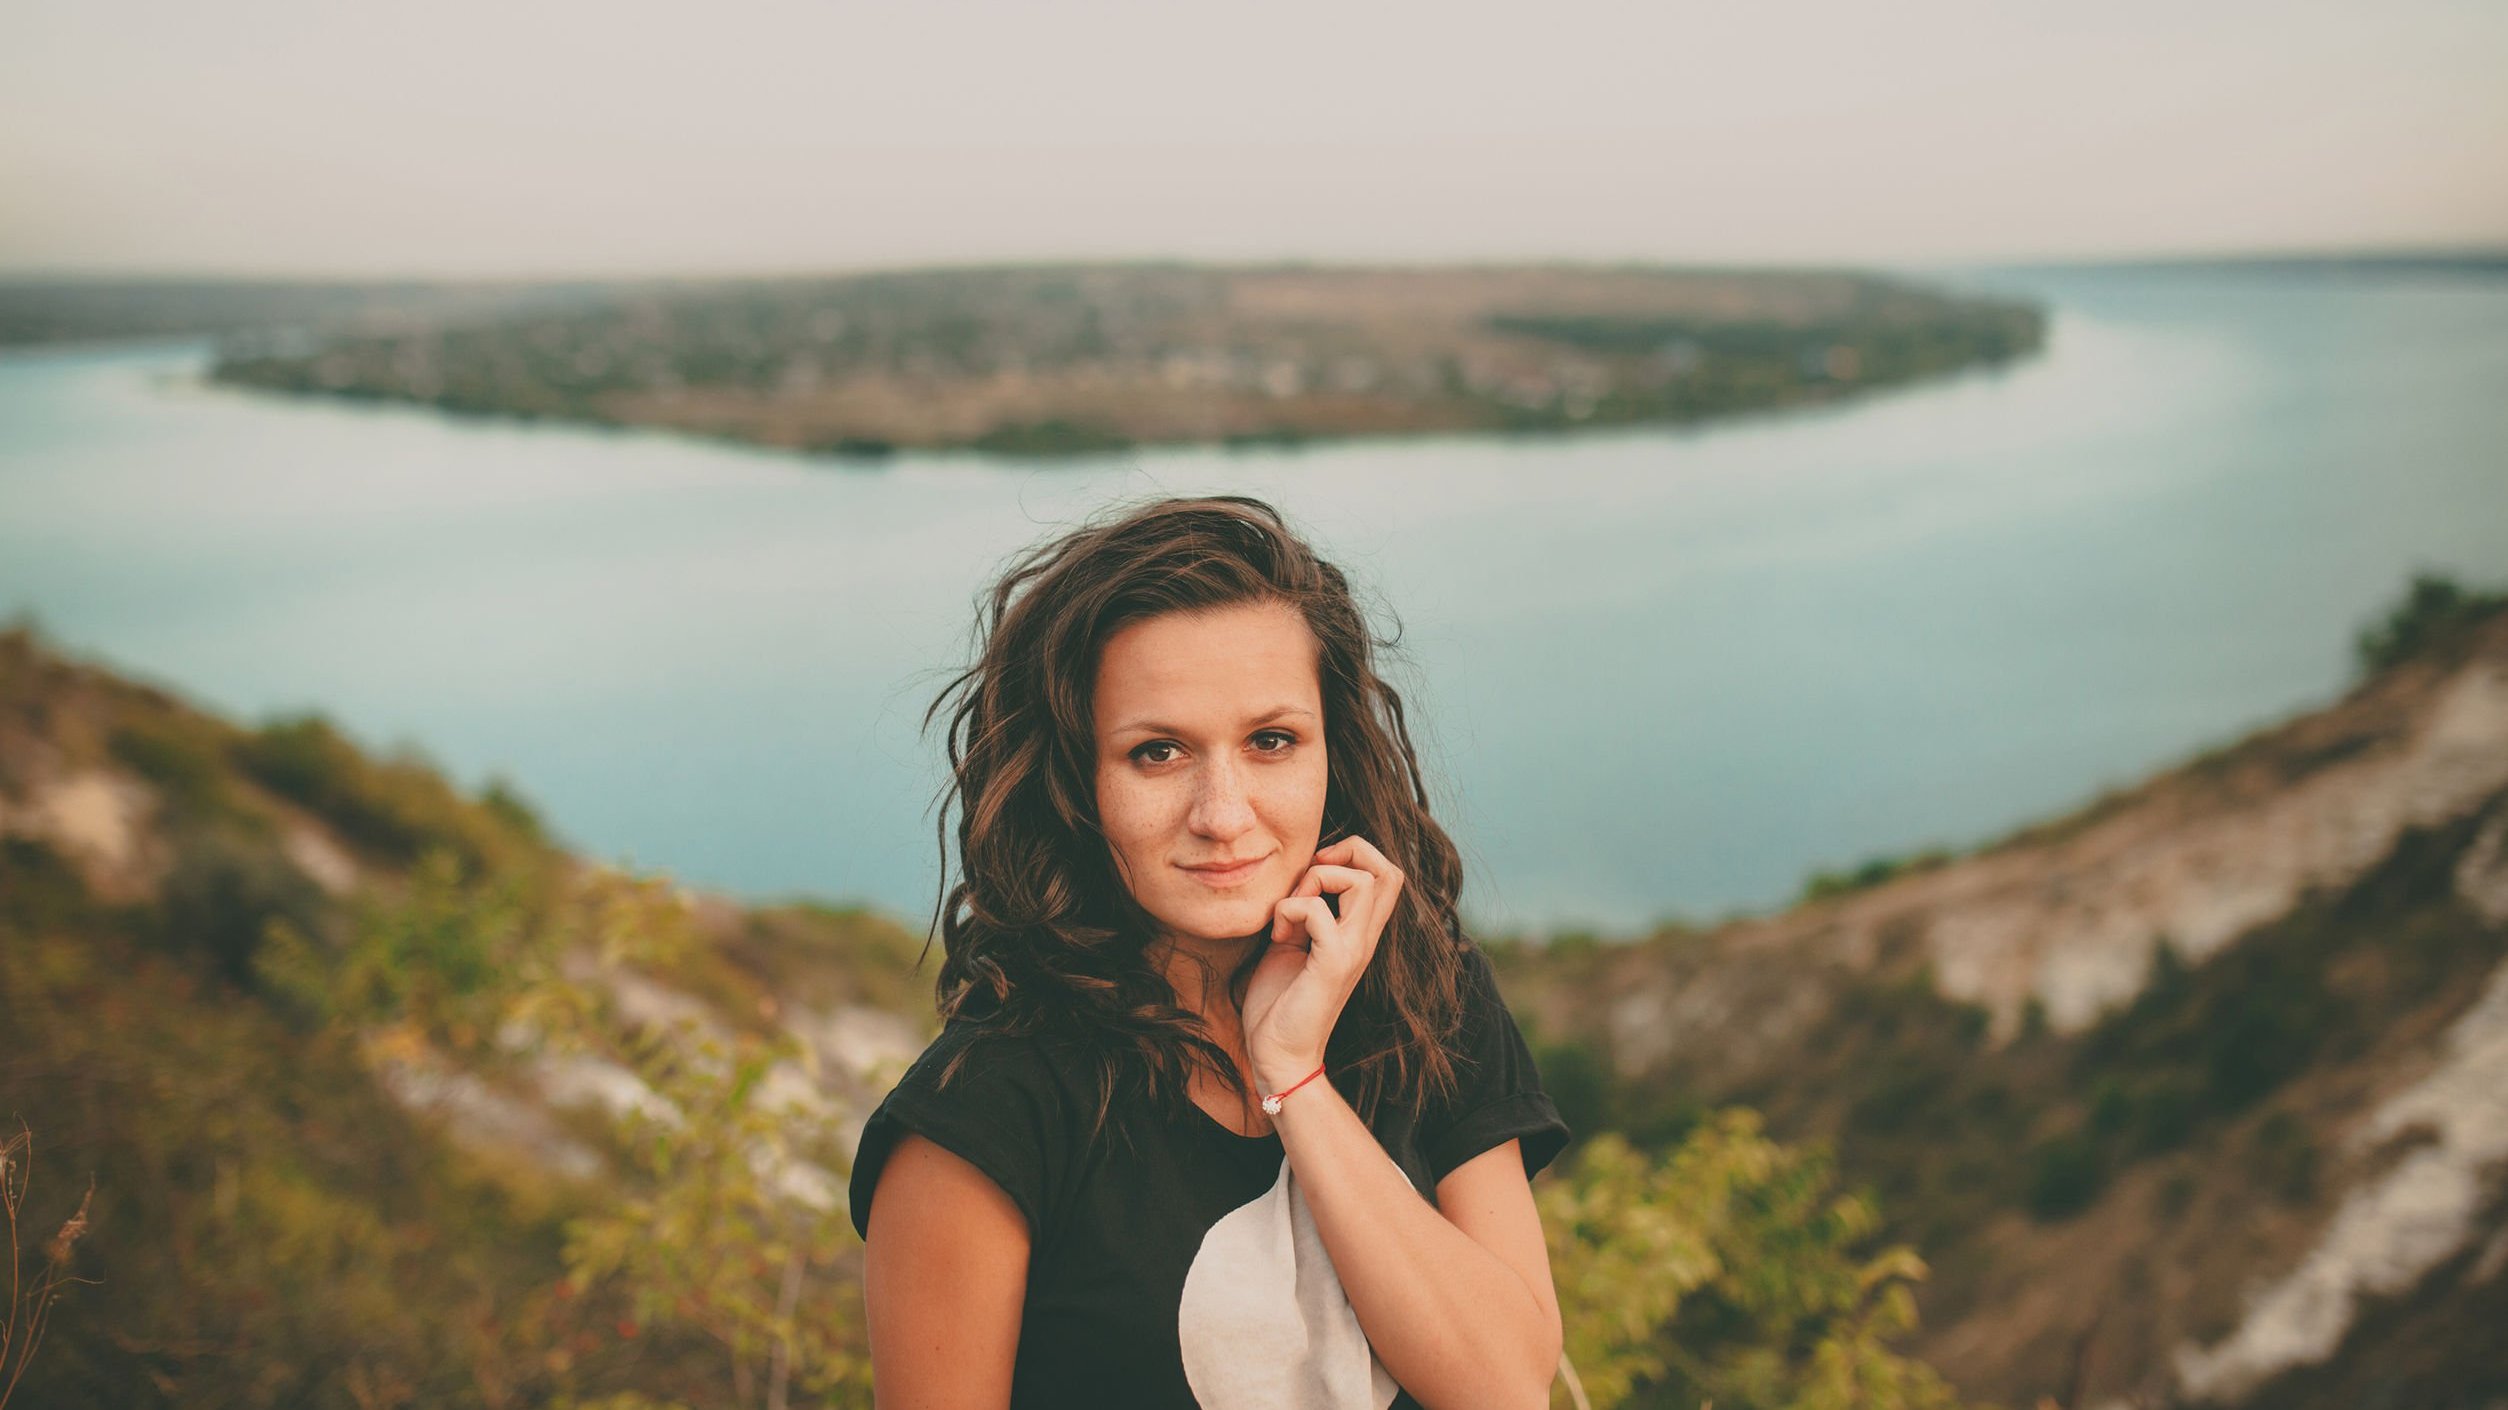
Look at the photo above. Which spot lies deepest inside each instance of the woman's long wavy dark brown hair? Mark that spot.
(1042, 935)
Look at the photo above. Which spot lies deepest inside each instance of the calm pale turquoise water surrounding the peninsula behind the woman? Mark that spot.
(1659, 674)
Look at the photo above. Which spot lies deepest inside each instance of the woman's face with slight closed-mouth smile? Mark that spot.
(1210, 764)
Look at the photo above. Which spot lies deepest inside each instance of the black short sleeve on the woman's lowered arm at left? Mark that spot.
(1002, 1113)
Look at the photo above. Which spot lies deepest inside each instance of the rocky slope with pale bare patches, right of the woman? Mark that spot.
(2193, 1095)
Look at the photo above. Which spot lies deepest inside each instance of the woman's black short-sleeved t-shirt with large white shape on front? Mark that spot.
(1185, 1268)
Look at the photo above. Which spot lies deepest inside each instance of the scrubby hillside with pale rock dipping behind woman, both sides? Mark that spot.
(332, 1085)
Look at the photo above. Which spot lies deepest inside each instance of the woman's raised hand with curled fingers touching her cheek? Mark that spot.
(1318, 960)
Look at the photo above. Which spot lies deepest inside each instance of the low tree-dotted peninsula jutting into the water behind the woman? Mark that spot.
(1077, 360)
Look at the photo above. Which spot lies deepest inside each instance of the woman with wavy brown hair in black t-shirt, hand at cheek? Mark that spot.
(1225, 1110)
